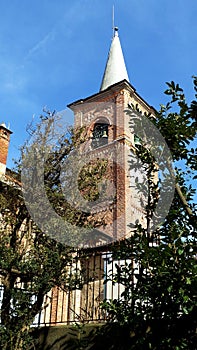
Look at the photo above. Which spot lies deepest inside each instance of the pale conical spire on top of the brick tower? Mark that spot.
(115, 69)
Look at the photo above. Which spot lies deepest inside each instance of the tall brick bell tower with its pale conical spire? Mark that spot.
(110, 139)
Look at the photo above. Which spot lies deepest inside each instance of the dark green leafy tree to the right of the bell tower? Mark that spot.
(158, 305)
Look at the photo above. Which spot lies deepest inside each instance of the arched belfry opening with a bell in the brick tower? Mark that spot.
(100, 135)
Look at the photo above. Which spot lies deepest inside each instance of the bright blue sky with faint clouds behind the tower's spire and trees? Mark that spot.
(53, 52)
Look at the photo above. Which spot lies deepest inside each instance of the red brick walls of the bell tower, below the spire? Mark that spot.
(111, 106)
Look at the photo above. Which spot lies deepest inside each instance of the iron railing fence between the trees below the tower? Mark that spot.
(89, 286)
